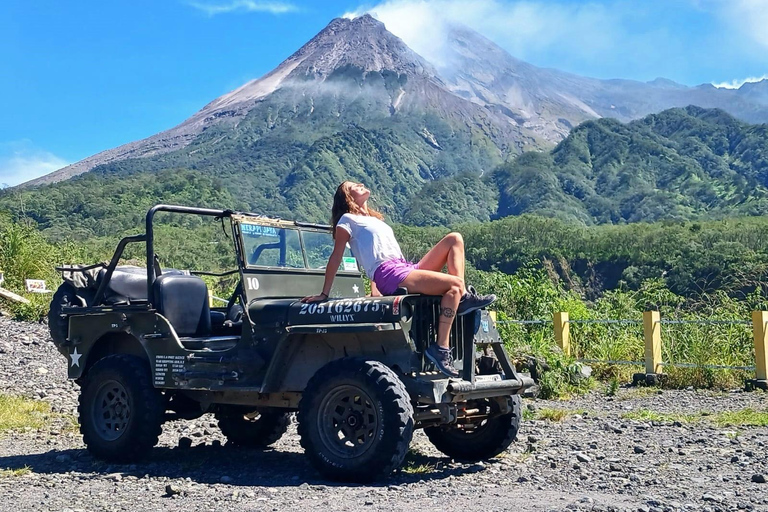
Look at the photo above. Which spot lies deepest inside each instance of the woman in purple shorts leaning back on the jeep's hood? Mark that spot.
(373, 244)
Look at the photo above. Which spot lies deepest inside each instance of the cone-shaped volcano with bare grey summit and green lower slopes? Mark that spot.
(353, 103)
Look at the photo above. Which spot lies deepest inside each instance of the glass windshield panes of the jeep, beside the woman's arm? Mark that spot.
(273, 246)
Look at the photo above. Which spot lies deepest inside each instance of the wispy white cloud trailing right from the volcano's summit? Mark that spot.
(587, 31)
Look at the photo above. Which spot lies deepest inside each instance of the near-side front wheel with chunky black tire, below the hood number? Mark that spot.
(349, 393)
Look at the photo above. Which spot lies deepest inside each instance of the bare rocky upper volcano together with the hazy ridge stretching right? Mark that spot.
(518, 105)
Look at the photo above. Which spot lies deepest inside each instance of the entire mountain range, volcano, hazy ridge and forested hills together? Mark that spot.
(355, 102)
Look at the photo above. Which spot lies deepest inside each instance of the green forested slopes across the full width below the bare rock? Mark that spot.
(680, 164)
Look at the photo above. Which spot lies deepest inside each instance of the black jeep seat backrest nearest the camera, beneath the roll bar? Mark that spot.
(183, 300)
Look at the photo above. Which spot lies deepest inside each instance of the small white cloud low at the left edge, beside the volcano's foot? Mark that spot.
(21, 161)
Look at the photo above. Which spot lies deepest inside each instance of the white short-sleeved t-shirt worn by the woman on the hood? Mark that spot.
(372, 241)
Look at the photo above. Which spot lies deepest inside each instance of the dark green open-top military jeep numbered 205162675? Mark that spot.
(146, 345)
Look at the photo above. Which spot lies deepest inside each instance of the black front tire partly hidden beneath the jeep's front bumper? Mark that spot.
(489, 439)
